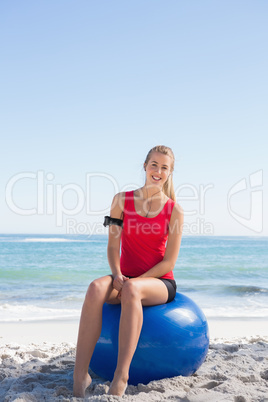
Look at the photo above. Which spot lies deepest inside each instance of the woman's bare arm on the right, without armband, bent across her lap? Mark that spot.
(173, 245)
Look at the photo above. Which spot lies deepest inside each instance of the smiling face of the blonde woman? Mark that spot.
(158, 169)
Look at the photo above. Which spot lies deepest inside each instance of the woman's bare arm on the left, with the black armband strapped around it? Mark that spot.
(113, 248)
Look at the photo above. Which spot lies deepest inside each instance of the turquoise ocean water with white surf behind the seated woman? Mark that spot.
(46, 276)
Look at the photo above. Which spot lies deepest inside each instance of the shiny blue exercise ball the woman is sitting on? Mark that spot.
(174, 341)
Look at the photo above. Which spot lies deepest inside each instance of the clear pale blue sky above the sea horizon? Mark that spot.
(88, 87)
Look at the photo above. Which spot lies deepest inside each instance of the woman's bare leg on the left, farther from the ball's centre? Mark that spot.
(98, 293)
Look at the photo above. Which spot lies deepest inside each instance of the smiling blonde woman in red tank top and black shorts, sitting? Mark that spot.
(150, 236)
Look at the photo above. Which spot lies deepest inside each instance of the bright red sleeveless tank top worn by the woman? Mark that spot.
(143, 241)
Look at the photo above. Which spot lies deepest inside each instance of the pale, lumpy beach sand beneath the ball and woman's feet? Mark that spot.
(37, 361)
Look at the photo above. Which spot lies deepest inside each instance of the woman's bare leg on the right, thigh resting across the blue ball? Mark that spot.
(135, 293)
